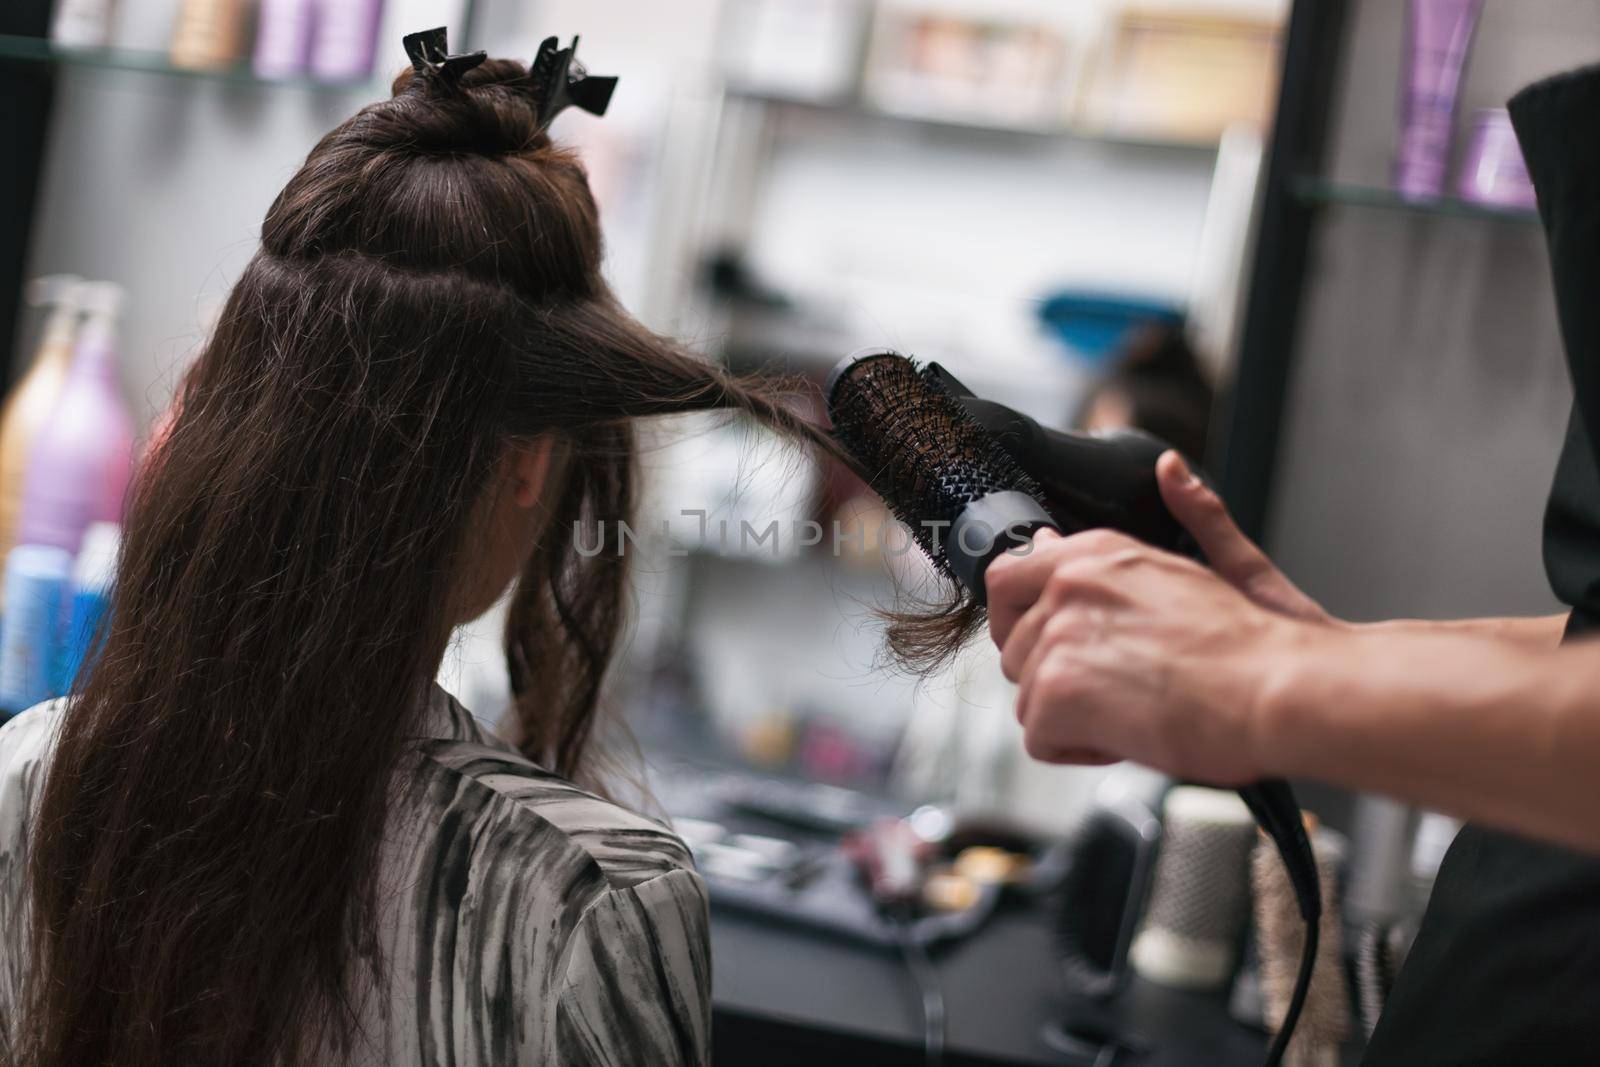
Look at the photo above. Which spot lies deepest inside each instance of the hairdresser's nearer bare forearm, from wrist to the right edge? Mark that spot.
(1473, 725)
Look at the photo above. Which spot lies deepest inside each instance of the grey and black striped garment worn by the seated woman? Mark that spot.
(524, 921)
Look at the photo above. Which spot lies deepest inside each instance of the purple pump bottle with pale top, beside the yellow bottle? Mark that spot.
(82, 462)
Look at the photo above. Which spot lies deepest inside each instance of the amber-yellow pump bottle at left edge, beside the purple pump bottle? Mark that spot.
(34, 398)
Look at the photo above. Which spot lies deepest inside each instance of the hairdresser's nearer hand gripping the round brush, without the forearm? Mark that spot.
(1129, 653)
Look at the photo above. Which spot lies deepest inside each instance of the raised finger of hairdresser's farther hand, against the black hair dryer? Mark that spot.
(1230, 553)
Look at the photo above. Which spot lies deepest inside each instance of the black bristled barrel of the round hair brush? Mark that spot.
(918, 447)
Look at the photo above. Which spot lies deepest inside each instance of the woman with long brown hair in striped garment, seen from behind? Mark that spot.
(258, 833)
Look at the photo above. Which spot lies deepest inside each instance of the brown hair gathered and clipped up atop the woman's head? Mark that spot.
(447, 177)
